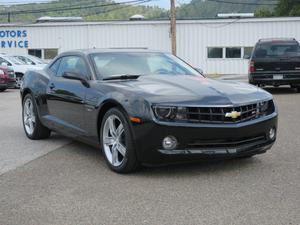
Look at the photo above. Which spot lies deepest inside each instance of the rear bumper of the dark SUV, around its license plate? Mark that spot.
(288, 78)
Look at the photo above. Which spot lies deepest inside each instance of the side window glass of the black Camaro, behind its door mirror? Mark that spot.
(72, 64)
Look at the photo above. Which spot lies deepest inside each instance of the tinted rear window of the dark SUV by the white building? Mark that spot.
(268, 50)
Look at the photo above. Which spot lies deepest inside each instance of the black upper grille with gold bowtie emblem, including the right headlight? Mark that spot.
(225, 114)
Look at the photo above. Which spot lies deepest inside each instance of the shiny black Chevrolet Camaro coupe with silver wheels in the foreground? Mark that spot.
(146, 107)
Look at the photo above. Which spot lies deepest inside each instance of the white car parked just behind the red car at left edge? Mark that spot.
(19, 67)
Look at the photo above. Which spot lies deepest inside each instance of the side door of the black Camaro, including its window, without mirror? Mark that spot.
(66, 97)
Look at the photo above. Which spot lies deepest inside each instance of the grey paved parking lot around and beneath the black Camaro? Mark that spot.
(59, 181)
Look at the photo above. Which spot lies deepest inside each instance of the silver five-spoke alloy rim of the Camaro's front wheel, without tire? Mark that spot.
(113, 140)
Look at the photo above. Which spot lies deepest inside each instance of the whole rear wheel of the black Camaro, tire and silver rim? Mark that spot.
(32, 125)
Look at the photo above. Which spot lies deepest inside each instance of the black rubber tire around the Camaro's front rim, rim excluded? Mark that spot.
(130, 162)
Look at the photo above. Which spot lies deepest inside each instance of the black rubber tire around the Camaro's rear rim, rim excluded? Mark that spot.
(39, 130)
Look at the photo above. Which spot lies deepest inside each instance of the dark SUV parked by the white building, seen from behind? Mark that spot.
(275, 62)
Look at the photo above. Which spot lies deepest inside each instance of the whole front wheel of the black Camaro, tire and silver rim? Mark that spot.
(117, 142)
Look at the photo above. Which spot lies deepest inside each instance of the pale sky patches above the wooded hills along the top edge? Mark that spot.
(161, 3)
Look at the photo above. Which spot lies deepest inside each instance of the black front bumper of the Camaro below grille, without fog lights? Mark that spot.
(203, 141)
